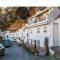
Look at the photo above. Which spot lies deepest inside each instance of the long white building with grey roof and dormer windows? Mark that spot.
(43, 24)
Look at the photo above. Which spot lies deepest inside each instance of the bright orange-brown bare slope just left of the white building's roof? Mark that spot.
(16, 25)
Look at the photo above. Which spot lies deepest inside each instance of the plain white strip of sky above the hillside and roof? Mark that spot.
(11, 3)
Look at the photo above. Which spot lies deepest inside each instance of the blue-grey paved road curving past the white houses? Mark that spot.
(19, 53)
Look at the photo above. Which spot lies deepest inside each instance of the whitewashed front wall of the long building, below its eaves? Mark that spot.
(40, 36)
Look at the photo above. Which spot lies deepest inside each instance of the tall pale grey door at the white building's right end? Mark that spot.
(55, 34)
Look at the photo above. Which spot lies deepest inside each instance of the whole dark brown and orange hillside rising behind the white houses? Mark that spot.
(8, 21)
